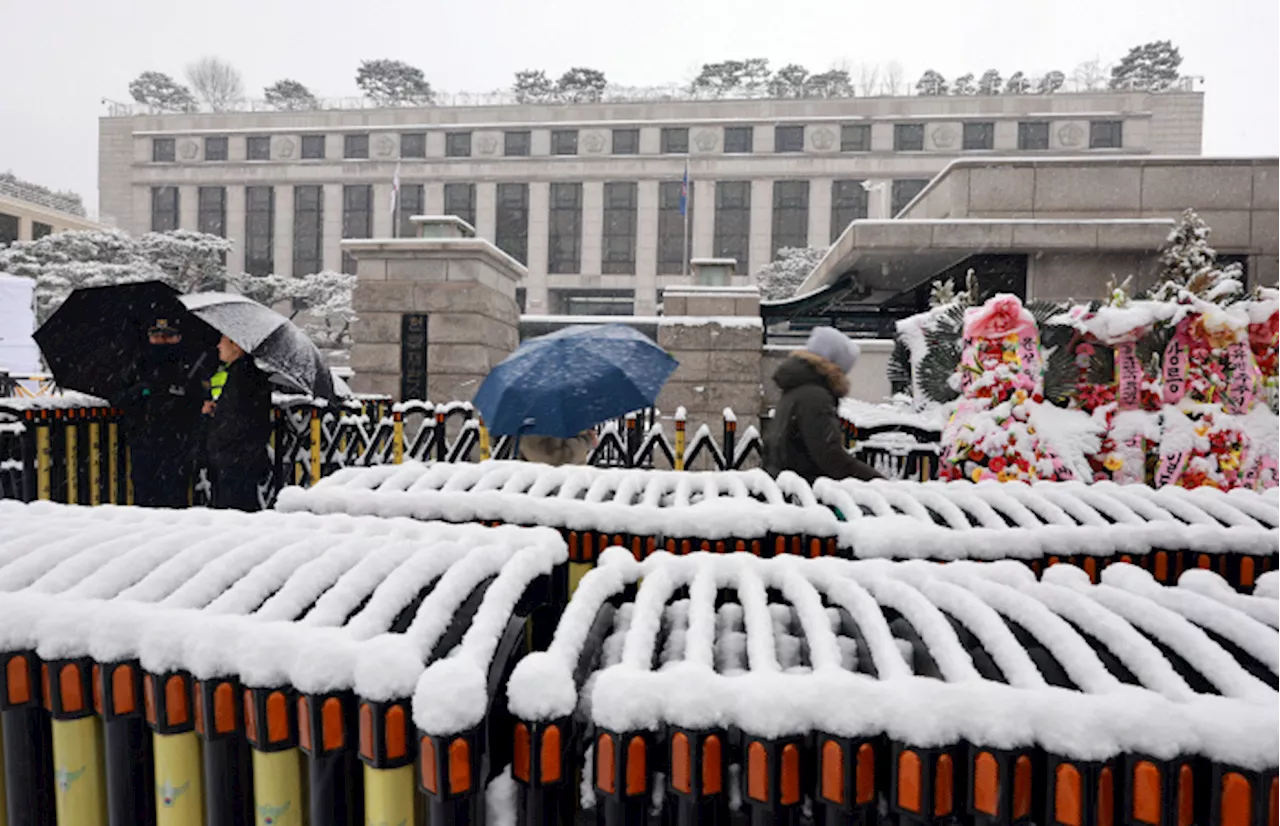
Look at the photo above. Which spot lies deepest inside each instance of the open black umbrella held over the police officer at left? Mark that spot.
(97, 339)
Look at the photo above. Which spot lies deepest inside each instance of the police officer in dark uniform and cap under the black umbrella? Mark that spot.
(162, 417)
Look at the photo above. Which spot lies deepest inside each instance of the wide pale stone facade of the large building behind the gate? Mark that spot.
(588, 197)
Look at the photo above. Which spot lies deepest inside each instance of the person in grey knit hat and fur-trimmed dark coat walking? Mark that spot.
(806, 436)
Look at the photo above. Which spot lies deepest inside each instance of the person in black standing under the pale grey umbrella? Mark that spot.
(239, 432)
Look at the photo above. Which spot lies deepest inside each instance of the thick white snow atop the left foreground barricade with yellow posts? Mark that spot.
(316, 603)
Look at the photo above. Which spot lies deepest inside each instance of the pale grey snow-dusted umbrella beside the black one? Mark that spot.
(277, 346)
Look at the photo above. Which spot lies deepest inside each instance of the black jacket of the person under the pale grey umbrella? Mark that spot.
(241, 425)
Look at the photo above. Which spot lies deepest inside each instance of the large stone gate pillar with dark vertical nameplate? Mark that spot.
(435, 313)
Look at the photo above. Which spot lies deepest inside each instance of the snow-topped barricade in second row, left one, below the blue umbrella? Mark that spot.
(642, 510)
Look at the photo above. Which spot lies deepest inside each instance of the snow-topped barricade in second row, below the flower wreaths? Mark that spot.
(1165, 531)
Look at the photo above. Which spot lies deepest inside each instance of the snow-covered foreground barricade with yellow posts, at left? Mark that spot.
(190, 668)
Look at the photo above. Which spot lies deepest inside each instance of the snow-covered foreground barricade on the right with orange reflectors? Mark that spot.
(715, 690)
